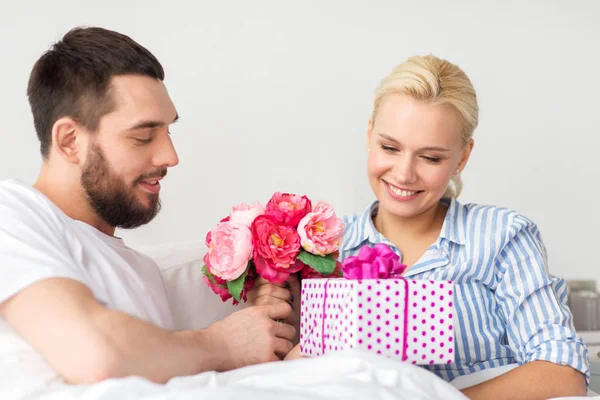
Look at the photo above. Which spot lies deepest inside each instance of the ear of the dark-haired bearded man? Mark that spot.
(67, 139)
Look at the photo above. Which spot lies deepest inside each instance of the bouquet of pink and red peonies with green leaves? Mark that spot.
(287, 236)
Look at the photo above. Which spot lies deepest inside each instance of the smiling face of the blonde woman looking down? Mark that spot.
(414, 150)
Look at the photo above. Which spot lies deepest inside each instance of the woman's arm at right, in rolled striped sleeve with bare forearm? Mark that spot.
(538, 322)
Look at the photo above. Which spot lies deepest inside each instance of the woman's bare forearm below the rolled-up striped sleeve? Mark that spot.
(534, 380)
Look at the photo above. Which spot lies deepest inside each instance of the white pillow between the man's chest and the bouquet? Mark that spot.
(193, 304)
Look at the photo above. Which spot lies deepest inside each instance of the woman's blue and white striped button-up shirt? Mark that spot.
(508, 307)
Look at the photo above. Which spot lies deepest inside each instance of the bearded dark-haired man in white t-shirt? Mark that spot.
(74, 300)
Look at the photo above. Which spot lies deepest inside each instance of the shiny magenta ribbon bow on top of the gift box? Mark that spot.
(377, 262)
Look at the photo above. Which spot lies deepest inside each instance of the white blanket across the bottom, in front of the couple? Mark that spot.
(348, 375)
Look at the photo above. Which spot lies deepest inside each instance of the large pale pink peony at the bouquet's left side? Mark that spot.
(229, 250)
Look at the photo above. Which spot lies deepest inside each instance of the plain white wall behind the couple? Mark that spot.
(275, 95)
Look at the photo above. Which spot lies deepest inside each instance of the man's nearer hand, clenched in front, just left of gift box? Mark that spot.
(252, 336)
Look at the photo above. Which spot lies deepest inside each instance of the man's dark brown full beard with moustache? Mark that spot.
(112, 199)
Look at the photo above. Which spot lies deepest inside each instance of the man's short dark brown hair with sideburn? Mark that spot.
(73, 78)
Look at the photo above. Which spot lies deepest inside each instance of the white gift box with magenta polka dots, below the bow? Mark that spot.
(411, 320)
